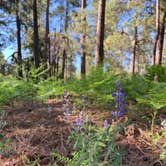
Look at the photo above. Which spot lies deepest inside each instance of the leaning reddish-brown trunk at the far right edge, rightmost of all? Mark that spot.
(161, 41)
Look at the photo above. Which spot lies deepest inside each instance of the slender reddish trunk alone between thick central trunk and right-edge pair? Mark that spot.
(133, 55)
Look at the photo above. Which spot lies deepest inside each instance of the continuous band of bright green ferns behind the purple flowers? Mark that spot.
(97, 86)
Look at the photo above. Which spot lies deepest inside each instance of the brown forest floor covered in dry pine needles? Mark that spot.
(35, 130)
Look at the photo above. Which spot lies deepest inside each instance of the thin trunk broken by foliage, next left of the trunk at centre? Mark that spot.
(64, 51)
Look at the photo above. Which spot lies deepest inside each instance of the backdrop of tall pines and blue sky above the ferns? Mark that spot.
(50, 35)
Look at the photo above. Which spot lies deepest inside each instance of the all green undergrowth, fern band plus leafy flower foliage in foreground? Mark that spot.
(94, 146)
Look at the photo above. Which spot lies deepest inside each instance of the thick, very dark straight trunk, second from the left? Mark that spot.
(36, 34)
